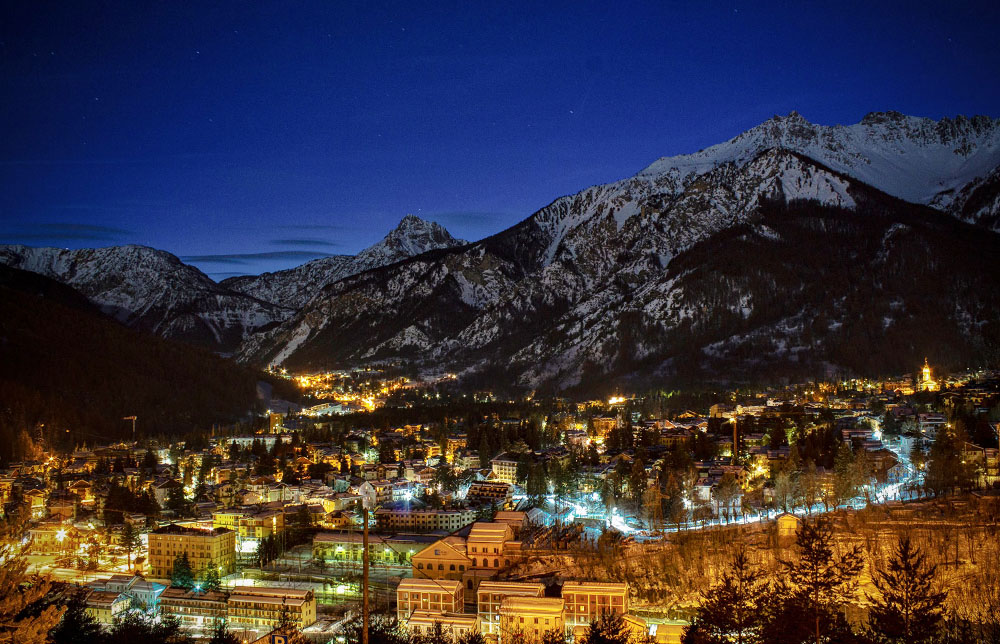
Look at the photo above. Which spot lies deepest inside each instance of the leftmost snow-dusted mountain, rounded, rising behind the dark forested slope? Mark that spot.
(151, 290)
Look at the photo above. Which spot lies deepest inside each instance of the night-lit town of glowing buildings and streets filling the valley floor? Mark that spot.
(497, 517)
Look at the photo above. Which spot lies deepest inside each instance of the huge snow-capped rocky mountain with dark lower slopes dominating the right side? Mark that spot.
(626, 274)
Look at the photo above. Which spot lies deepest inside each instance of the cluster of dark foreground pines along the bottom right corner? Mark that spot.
(806, 601)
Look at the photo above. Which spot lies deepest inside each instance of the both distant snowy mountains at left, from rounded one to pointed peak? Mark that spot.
(152, 290)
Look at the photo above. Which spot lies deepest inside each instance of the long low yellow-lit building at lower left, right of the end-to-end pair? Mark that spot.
(259, 608)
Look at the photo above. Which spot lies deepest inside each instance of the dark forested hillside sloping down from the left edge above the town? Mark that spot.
(70, 375)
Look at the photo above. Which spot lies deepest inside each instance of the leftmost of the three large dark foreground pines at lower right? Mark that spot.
(732, 610)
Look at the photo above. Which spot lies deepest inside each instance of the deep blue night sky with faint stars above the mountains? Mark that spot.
(296, 129)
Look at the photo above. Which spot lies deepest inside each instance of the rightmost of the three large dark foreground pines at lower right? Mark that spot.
(908, 609)
